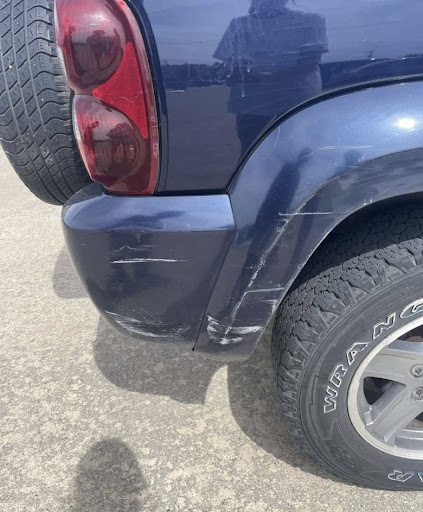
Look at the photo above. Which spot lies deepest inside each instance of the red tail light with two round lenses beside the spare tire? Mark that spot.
(115, 118)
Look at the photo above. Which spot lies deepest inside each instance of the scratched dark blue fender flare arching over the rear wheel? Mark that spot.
(299, 184)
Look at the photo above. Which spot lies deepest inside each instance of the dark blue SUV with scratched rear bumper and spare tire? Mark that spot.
(228, 163)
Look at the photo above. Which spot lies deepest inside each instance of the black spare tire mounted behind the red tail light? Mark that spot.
(36, 104)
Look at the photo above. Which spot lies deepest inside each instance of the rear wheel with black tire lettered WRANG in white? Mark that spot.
(362, 290)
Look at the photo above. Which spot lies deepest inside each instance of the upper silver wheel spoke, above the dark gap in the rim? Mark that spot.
(395, 361)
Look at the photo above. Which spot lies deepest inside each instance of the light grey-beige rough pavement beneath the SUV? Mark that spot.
(91, 421)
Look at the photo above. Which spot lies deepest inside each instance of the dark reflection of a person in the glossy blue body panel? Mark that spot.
(272, 57)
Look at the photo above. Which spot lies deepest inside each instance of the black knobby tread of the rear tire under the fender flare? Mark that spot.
(343, 272)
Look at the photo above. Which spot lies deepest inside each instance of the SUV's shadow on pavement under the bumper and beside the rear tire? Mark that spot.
(168, 371)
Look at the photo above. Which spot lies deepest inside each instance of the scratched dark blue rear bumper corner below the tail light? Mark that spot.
(149, 263)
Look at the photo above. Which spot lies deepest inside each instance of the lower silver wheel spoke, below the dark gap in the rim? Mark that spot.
(394, 410)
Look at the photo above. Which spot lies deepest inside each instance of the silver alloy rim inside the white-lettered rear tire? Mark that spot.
(385, 399)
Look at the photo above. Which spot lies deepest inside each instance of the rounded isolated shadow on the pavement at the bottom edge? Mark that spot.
(108, 479)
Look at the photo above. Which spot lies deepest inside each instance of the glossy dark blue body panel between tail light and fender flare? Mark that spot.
(232, 67)
